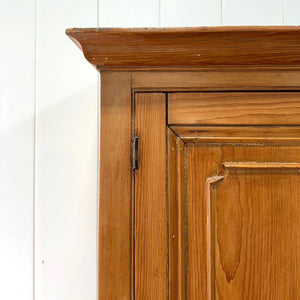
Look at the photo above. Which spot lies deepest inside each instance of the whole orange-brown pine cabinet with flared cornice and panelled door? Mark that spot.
(200, 162)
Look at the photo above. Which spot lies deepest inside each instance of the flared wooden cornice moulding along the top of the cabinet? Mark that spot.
(189, 48)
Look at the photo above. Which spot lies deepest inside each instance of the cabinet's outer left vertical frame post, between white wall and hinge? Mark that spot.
(115, 187)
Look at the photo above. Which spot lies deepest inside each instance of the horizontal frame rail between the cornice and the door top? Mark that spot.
(250, 78)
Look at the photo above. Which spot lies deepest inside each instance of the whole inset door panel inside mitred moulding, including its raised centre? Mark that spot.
(254, 214)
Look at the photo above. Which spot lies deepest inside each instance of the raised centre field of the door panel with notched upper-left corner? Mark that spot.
(253, 215)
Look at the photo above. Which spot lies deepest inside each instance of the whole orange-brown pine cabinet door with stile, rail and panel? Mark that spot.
(217, 196)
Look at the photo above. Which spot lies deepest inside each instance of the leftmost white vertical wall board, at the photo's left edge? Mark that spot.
(16, 149)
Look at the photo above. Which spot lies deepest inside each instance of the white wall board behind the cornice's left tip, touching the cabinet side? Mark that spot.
(66, 155)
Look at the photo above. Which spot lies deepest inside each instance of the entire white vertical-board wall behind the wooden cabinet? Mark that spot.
(49, 116)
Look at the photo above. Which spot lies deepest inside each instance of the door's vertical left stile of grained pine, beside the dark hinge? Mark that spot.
(150, 198)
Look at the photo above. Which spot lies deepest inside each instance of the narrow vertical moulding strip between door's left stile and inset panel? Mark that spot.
(177, 224)
